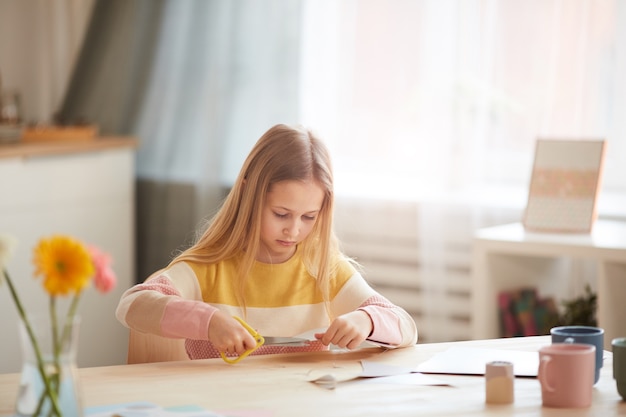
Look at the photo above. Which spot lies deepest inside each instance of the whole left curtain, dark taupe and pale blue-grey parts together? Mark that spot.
(197, 82)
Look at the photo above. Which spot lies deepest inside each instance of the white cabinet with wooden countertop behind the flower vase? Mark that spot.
(83, 190)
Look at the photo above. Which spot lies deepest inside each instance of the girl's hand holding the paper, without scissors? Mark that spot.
(348, 331)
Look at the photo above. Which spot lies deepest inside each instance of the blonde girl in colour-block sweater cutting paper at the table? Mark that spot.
(269, 255)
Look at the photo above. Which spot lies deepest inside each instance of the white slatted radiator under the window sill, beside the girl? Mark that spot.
(418, 255)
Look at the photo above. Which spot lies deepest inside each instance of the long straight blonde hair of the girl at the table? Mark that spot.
(282, 153)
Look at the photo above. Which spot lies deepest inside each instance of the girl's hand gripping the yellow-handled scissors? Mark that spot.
(228, 335)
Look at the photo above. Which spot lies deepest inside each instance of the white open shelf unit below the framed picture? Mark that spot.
(508, 257)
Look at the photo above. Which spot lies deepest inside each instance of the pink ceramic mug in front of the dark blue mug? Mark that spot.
(566, 373)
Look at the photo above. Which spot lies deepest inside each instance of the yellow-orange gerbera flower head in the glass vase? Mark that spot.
(64, 263)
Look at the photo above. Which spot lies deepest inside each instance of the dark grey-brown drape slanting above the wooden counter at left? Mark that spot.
(114, 65)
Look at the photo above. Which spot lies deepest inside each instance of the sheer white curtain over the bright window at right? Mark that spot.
(440, 102)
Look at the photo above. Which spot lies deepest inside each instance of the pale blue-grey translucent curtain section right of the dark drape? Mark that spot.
(224, 72)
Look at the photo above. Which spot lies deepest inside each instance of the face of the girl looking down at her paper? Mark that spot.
(290, 211)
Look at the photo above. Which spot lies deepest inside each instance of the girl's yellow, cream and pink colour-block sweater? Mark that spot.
(281, 300)
